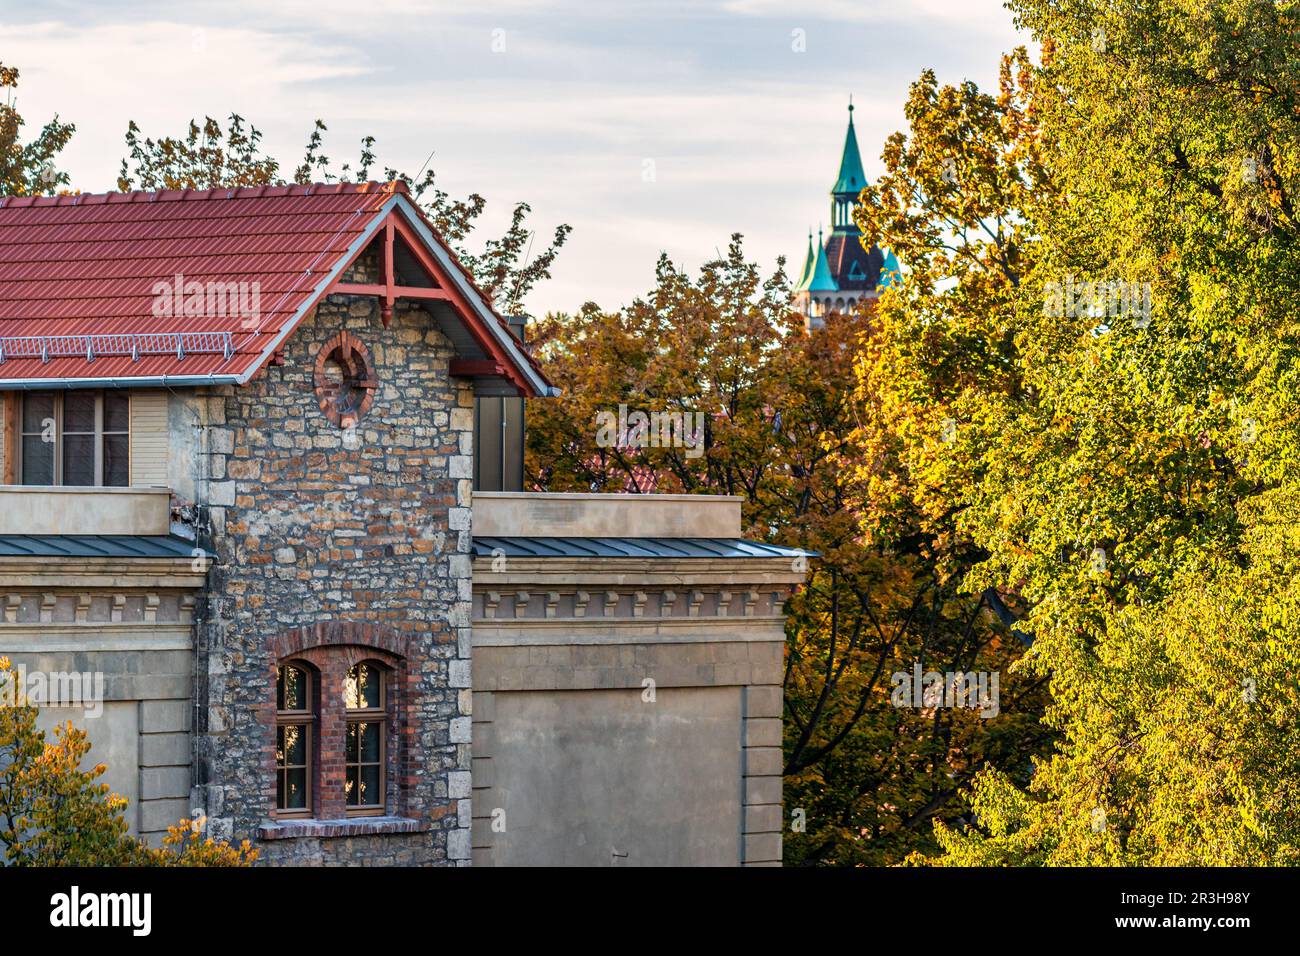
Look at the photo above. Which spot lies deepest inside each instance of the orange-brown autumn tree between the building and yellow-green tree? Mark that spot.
(781, 427)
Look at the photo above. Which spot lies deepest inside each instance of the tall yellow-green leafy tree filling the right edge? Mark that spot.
(1130, 466)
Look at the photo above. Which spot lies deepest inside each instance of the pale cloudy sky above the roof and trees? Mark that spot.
(648, 126)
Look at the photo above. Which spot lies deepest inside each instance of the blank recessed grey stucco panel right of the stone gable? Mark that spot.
(599, 778)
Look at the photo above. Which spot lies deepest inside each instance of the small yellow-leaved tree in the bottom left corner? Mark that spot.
(54, 814)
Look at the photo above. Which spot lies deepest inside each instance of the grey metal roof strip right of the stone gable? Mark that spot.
(631, 548)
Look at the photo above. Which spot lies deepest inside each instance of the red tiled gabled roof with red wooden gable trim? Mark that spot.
(84, 283)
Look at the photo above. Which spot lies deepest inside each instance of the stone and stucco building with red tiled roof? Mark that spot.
(239, 455)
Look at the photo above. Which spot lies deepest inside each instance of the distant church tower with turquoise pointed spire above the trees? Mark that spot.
(839, 274)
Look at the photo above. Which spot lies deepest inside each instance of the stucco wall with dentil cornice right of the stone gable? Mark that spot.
(619, 721)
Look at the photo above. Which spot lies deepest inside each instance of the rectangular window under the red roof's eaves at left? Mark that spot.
(76, 439)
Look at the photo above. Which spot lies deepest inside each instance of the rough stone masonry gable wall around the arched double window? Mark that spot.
(317, 529)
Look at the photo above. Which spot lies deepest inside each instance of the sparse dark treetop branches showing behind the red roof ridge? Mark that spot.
(209, 158)
